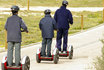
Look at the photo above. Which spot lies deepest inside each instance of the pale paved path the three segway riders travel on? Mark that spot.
(86, 44)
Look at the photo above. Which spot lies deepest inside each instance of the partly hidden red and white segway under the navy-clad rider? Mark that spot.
(69, 52)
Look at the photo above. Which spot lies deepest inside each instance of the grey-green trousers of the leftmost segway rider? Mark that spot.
(17, 46)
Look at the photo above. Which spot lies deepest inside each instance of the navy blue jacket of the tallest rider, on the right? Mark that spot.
(63, 17)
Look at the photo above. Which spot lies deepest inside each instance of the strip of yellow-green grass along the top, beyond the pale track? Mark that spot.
(72, 3)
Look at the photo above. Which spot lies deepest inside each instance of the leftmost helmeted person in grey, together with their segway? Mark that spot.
(13, 26)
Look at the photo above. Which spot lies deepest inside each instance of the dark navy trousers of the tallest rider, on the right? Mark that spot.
(62, 33)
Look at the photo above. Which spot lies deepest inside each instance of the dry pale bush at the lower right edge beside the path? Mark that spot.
(99, 65)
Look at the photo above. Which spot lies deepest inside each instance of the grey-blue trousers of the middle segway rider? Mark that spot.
(46, 42)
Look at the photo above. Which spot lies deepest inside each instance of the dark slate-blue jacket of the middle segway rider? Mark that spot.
(47, 26)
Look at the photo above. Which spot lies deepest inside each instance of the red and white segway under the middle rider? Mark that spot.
(54, 57)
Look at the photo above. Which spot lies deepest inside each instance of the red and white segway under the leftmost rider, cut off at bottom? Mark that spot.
(24, 64)
